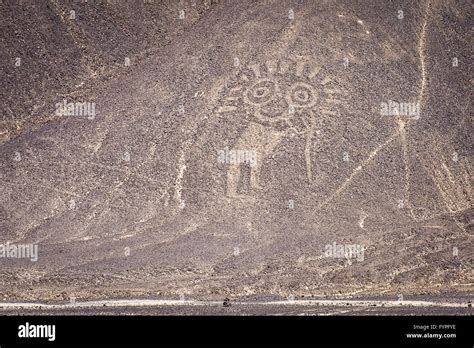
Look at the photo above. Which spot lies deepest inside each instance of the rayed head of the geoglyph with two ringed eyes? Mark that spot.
(283, 94)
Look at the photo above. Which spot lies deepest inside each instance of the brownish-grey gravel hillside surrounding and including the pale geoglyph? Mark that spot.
(236, 149)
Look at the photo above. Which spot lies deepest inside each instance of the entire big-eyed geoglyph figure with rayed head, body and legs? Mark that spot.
(278, 98)
